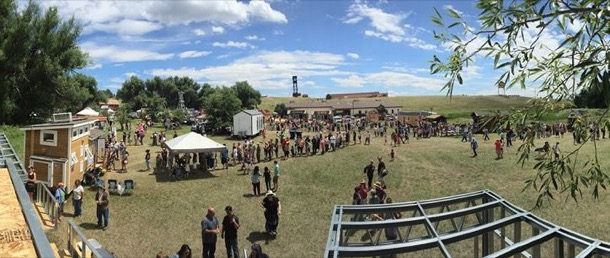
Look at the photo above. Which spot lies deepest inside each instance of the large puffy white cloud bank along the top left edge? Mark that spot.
(141, 17)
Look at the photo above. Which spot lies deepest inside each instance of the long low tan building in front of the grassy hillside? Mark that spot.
(324, 109)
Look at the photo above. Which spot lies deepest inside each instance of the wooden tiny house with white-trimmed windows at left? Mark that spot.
(59, 150)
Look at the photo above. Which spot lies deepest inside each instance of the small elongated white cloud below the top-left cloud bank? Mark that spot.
(113, 53)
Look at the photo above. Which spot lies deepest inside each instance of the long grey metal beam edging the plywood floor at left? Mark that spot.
(41, 242)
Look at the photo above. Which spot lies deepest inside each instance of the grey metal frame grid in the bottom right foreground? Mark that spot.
(496, 227)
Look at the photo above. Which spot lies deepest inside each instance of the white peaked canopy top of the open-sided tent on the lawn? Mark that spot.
(193, 143)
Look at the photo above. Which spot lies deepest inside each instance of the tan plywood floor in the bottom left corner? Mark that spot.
(15, 238)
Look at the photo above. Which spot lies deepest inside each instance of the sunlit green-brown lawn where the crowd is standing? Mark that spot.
(162, 214)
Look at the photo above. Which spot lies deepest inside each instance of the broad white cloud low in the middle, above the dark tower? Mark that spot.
(265, 70)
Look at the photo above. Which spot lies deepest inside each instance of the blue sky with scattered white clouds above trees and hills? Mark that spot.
(332, 46)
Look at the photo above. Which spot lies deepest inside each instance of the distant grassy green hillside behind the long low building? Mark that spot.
(456, 108)
